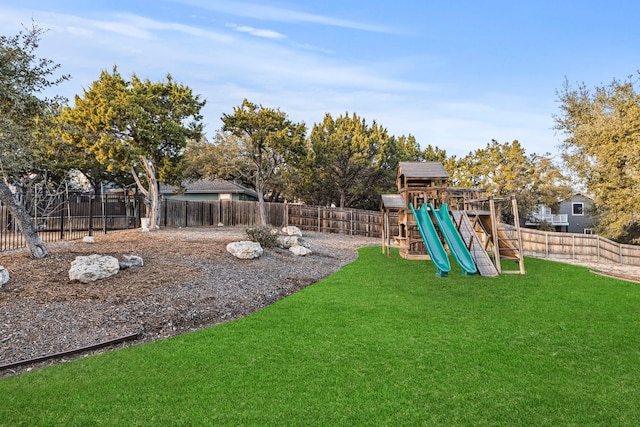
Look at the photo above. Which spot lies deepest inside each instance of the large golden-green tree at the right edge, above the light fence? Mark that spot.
(601, 146)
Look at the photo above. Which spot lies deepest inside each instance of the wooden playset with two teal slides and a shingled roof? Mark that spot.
(427, 214)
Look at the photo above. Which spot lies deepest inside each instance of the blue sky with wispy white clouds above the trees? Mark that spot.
(455, 74)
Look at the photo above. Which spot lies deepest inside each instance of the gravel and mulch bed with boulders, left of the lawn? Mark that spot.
(188, 281)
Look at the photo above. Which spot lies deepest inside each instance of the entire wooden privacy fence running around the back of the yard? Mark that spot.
(79, 216)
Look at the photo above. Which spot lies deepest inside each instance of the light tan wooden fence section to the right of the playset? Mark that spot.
(587, 247)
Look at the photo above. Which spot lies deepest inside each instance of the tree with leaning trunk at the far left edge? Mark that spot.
(23, 77)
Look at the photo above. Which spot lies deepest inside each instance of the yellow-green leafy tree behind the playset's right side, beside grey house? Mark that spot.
(506, 169)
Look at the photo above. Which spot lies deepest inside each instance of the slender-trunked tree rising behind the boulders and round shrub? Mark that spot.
(266, 139)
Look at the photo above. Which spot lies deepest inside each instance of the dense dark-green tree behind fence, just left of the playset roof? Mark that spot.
(350, 163)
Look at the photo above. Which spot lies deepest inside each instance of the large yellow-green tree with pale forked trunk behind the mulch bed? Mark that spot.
(136, 126)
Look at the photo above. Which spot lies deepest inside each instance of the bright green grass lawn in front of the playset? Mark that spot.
(381, 342)
